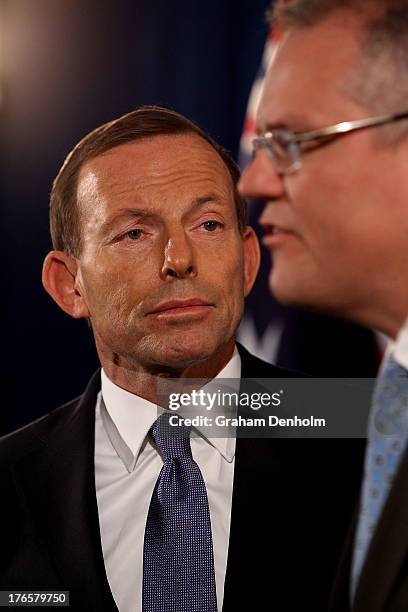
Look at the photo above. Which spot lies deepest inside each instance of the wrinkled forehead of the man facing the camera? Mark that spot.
(152, 169)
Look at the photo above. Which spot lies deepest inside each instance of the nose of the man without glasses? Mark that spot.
(178, 257)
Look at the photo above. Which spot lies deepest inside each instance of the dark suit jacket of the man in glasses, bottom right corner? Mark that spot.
(383, 585)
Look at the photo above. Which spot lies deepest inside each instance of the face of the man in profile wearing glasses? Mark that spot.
(337, 228)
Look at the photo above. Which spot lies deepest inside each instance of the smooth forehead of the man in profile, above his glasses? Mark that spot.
(307, 79)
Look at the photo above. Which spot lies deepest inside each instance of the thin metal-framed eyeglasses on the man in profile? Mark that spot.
(284, 147)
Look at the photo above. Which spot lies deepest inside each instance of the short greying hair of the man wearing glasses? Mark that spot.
(380, 82)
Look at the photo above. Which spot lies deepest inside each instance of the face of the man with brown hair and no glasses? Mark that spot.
(163, 268)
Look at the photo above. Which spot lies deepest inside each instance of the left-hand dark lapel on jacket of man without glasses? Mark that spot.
(57, 483)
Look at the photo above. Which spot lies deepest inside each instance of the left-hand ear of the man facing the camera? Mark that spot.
(59, 277)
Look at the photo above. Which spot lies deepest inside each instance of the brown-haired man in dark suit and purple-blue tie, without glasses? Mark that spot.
(151, 247)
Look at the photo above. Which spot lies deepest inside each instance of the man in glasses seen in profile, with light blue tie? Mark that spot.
(331, 161)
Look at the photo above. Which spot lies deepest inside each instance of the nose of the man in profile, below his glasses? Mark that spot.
(260, 180)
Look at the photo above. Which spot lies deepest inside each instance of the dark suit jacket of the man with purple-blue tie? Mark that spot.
(292, 504)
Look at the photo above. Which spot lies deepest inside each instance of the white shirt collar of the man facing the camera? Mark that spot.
(127, 417)
